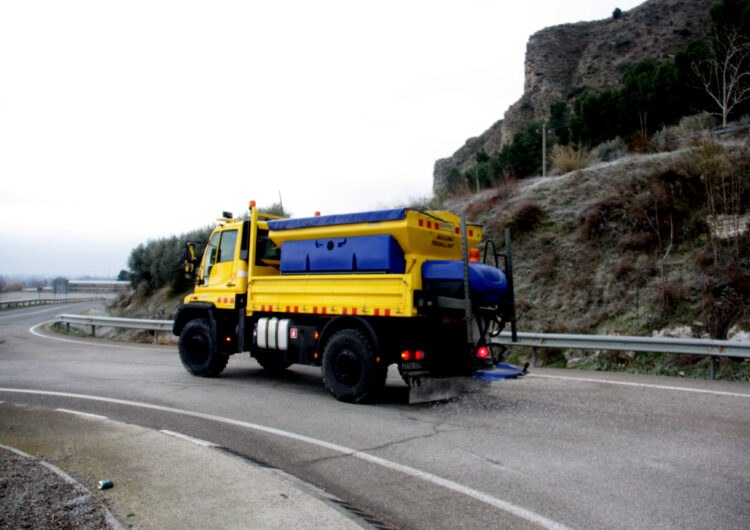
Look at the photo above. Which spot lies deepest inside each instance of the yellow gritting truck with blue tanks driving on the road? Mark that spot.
(351, 293)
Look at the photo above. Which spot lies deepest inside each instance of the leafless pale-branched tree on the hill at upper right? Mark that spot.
(724, 71)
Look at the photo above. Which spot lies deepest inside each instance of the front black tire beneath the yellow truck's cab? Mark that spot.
(198, 350)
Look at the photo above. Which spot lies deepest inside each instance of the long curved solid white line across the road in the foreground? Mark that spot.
(505, 506)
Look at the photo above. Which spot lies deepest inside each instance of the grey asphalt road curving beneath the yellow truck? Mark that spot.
(554, 449)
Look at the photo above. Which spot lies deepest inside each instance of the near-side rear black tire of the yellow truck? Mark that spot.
(350, 370)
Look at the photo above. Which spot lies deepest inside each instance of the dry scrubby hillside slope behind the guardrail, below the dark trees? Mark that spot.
(588, 247)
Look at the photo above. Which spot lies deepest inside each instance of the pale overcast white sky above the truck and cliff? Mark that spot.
(122, 122)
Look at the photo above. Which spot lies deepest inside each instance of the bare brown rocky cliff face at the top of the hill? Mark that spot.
(562, 61)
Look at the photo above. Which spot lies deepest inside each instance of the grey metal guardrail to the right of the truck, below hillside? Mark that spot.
(708, 347)
